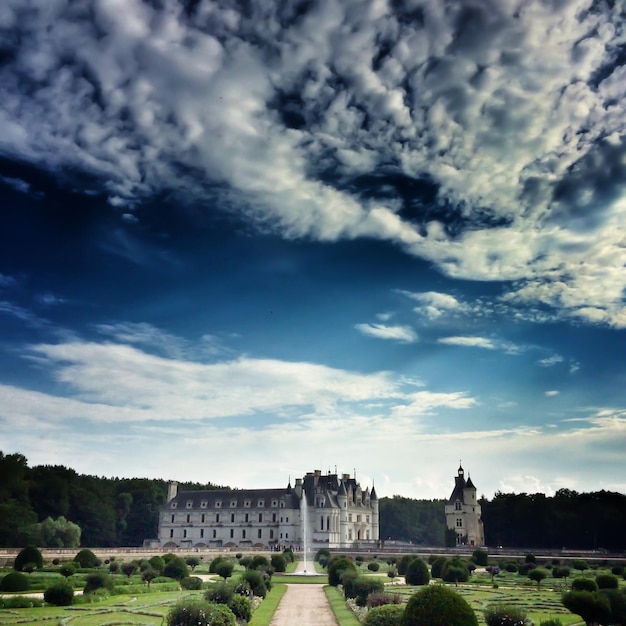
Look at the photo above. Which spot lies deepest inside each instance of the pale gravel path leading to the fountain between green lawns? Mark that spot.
(305, 605)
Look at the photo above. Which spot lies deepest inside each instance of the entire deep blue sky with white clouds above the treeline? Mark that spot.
(243, 240)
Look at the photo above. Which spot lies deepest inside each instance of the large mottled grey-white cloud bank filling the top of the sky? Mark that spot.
(506, 122)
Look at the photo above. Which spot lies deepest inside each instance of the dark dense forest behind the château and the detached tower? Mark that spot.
(44, 501)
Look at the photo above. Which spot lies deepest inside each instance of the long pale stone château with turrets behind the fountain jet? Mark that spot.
(329, 510)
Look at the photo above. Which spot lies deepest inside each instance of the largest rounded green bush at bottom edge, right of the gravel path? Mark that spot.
(437, 605)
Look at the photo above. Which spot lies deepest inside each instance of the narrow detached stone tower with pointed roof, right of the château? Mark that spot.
(463, 512)
